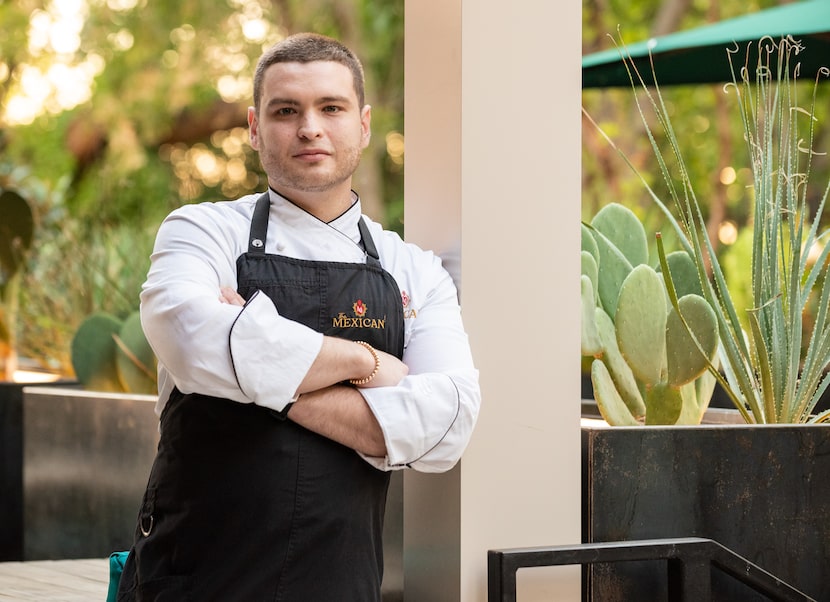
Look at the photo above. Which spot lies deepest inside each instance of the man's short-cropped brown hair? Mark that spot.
(307, 48)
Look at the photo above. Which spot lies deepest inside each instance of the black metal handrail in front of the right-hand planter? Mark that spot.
(689, 566)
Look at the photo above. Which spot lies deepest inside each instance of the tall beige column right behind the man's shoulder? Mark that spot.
(492, 122)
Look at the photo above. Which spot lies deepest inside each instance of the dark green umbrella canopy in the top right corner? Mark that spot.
(699, 55)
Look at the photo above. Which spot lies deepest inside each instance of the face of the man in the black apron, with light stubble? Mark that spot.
(310, 131)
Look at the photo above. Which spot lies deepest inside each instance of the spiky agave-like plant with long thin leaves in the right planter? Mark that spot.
(770, 372)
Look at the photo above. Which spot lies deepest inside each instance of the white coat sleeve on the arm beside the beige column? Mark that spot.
(427, 419)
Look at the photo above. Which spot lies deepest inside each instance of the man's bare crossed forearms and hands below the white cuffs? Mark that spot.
(333, 410)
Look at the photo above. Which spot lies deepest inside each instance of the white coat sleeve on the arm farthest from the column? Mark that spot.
(249, 354)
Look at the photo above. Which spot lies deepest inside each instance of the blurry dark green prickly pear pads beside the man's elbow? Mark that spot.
(109, 354)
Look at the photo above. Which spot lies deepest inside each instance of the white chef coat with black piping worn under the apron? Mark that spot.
(254, 355)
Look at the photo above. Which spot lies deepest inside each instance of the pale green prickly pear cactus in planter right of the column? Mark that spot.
(646, 367)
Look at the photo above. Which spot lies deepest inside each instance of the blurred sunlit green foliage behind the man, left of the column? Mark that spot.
(114, 112)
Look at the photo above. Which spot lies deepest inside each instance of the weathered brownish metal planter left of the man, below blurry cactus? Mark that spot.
(86, 457)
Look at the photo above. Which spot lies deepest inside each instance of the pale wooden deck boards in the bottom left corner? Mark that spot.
(55, 580)
